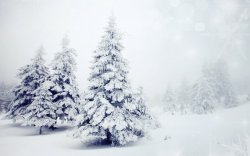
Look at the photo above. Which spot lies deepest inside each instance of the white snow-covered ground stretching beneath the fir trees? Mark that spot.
(189, 135)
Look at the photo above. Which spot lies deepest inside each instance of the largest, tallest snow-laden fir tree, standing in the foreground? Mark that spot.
(112, 114)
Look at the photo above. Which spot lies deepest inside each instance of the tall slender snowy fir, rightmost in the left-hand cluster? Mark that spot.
(64, 87)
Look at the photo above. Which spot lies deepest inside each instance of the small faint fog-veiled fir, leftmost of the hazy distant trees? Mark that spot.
(169, 101)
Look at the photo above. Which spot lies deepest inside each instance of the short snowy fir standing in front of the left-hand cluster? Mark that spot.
(42, 111)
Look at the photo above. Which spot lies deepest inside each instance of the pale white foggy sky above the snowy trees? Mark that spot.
(165, 41)
